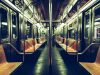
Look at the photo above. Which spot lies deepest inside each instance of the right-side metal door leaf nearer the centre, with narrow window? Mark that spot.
(87, 35)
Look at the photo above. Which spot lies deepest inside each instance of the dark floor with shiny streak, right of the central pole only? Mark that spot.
(61, 66)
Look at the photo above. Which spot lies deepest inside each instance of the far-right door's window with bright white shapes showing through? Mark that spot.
(97, 24)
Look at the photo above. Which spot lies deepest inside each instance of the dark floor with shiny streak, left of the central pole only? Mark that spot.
(39, 65)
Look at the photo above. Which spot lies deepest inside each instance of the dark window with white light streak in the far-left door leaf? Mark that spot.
(4, 24)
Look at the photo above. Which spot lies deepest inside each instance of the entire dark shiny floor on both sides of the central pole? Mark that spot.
(40, 64)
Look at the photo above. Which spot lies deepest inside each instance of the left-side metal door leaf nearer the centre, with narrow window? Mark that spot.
(13, 35)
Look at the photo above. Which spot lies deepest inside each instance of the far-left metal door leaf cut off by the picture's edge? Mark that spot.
(5, 30)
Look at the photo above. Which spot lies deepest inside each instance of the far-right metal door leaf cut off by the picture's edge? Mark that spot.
(95, 30)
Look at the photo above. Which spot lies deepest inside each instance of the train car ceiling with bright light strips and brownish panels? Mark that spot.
(37, 11)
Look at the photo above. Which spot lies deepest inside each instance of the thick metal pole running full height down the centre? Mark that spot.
(50, 37)
